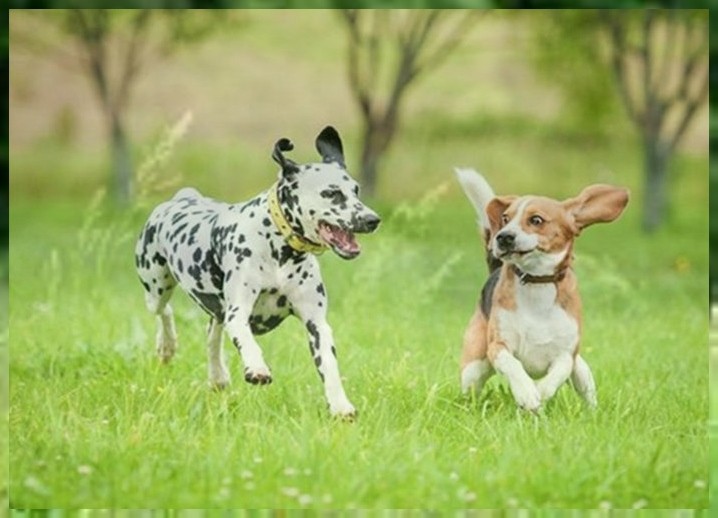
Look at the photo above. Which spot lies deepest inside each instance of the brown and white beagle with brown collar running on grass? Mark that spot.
(527, 325)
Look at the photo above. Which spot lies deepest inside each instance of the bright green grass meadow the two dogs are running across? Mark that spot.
(96, 421)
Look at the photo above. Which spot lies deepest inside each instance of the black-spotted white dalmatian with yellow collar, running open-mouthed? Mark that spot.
(251, 264)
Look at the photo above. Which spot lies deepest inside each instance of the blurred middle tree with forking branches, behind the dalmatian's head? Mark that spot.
(405, 44)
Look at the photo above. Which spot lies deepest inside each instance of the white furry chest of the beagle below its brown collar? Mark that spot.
(539, 329)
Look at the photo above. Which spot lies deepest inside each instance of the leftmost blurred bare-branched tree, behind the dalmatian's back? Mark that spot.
(114, 46)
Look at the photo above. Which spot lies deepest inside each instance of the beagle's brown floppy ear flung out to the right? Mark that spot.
(597, 203)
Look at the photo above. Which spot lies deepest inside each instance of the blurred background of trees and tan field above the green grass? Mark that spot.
(511, 93)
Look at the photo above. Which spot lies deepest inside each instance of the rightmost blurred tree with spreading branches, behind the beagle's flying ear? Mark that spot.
(659, 62)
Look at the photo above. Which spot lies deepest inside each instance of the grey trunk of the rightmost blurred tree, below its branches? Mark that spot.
(656, 183)
